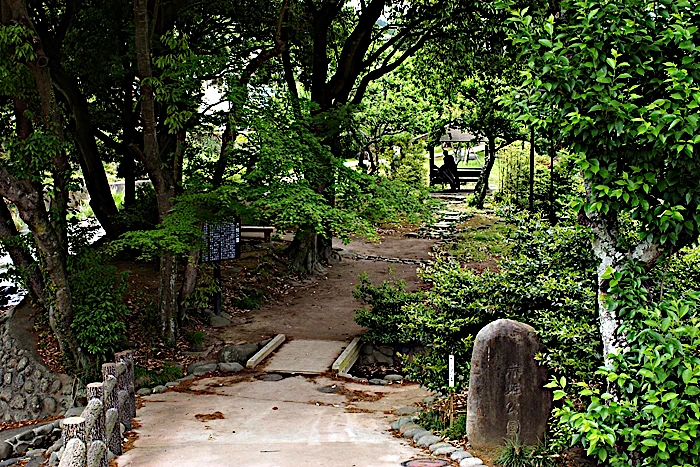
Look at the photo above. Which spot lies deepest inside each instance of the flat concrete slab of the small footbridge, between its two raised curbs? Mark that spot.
(305, 356)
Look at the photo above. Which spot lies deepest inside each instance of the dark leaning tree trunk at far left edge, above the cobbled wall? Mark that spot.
(21, 259)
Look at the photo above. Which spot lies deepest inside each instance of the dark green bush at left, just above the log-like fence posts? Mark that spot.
(98, 304)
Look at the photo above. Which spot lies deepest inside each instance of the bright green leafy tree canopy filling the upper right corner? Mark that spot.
(617, 82)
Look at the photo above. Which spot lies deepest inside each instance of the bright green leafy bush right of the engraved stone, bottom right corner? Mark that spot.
(649, 415)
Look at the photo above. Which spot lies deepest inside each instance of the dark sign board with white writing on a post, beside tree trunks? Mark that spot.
(222, 242)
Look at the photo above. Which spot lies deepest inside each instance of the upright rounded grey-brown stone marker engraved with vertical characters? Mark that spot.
(507, 397)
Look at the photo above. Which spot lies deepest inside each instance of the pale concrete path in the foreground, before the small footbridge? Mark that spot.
(243, 421)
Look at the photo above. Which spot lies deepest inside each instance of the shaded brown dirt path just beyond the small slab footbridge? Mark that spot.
(323, 307)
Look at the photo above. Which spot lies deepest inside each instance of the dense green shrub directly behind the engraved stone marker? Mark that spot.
(547, 281)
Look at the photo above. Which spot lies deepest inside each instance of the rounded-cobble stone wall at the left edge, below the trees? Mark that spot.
(28, 390)
